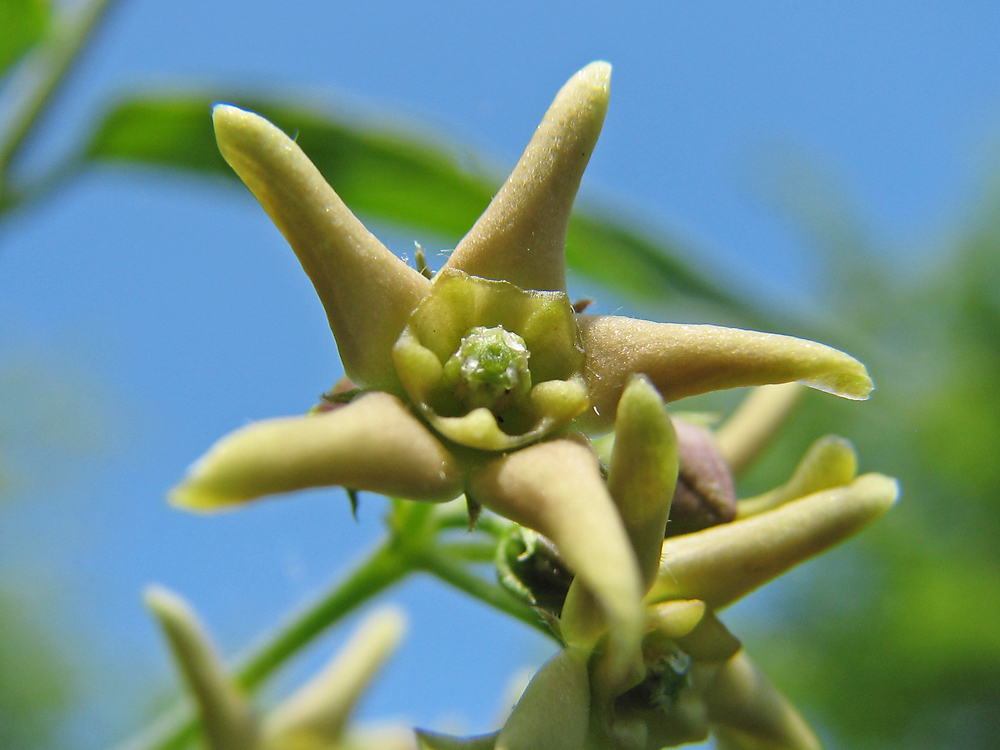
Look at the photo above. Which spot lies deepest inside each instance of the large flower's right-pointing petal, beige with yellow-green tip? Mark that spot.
(685, 360)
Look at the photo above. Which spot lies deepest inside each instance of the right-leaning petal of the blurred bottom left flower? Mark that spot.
(316, 714)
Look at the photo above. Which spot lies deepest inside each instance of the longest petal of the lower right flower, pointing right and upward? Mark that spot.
(724, 563)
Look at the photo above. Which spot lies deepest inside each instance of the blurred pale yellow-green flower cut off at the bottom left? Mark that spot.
(313, 718)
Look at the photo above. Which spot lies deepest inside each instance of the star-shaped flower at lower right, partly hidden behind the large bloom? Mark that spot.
(693, 677)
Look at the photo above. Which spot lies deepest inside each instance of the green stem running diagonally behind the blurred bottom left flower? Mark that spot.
(384, 567)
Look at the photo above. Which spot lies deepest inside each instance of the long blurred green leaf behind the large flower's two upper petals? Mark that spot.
(399, 179)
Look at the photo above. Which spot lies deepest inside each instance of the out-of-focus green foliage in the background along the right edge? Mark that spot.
(902, 650)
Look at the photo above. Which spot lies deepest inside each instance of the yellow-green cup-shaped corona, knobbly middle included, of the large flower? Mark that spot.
(489, 365)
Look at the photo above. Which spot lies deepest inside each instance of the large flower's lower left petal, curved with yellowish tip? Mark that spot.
(373, 444)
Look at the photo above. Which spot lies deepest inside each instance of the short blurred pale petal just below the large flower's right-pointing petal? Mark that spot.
(748, 430)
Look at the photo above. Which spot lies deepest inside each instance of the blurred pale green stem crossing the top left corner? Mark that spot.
(58, 54)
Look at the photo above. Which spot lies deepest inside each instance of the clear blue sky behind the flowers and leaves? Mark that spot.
(164, 311)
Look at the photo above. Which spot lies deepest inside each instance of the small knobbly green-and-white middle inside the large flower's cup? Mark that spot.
(490, 368)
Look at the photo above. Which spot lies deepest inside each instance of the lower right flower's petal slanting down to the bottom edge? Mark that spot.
(749, 713)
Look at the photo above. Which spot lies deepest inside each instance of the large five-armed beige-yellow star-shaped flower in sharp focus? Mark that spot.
(482, 380)
